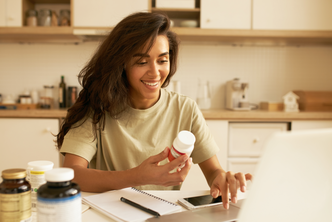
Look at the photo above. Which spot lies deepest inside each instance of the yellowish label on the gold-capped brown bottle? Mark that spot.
(15, 207)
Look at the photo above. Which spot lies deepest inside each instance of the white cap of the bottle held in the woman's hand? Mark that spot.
(184, 142)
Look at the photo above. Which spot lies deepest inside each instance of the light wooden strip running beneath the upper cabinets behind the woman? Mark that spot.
(255, 37)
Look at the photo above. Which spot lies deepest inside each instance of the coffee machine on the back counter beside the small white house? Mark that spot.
(237, 95)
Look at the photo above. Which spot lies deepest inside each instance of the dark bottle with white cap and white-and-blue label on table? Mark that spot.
(59, 199)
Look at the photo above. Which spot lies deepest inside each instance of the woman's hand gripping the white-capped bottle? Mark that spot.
(151, 172)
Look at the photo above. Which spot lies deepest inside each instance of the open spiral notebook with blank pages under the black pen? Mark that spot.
(109, 203)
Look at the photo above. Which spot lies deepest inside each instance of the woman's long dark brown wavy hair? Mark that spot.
(104, 80)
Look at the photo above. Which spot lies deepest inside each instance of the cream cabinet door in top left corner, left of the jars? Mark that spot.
(11, 13)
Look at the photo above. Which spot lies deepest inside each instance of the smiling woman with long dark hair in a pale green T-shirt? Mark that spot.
(118, 132)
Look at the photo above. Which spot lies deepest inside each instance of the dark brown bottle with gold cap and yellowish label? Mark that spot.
(15, 196)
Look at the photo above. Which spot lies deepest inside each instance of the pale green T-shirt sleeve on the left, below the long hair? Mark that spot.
(80, 141)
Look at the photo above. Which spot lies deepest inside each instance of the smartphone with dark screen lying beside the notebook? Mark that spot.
(199, 201)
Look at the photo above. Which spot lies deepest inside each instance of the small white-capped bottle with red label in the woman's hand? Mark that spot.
(182, 144)
